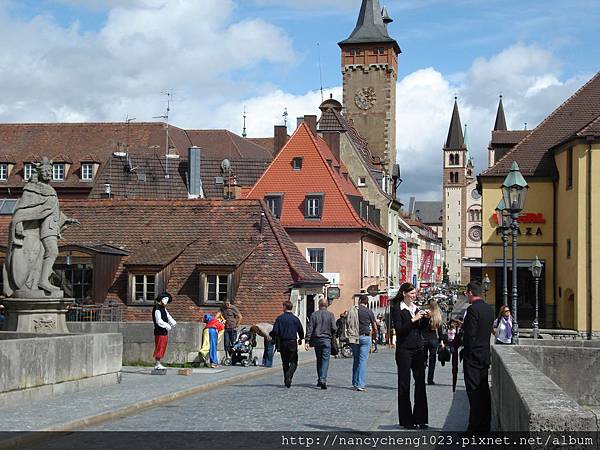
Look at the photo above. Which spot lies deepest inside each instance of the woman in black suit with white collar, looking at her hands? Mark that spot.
(409, 322)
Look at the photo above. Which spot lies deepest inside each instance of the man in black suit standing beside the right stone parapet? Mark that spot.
(477, 329)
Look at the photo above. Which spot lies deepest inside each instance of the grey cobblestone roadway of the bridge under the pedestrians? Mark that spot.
(264, 404)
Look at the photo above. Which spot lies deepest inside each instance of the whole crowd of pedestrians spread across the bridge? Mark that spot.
(419, 335)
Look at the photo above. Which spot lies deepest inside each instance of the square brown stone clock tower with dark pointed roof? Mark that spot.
(370, 71)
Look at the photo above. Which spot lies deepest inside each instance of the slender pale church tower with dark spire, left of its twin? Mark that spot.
(458, 171)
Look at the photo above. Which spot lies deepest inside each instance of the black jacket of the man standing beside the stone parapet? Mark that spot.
(477, 329)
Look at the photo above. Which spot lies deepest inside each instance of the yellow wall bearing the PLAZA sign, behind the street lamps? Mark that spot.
(539, 201)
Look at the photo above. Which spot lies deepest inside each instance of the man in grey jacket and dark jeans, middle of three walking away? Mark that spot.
(319, 333)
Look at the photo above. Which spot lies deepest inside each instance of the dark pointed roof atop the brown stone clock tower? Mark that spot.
(370, 26)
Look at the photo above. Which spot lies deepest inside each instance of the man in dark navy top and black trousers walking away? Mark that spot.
(288, 333)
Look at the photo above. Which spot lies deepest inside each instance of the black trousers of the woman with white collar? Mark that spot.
(407, 360)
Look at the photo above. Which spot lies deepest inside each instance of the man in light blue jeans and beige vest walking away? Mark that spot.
(362, 323)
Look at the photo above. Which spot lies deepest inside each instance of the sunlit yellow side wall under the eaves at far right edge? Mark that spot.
(572, 274)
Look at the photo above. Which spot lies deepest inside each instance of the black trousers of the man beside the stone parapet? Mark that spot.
(478, 391)
